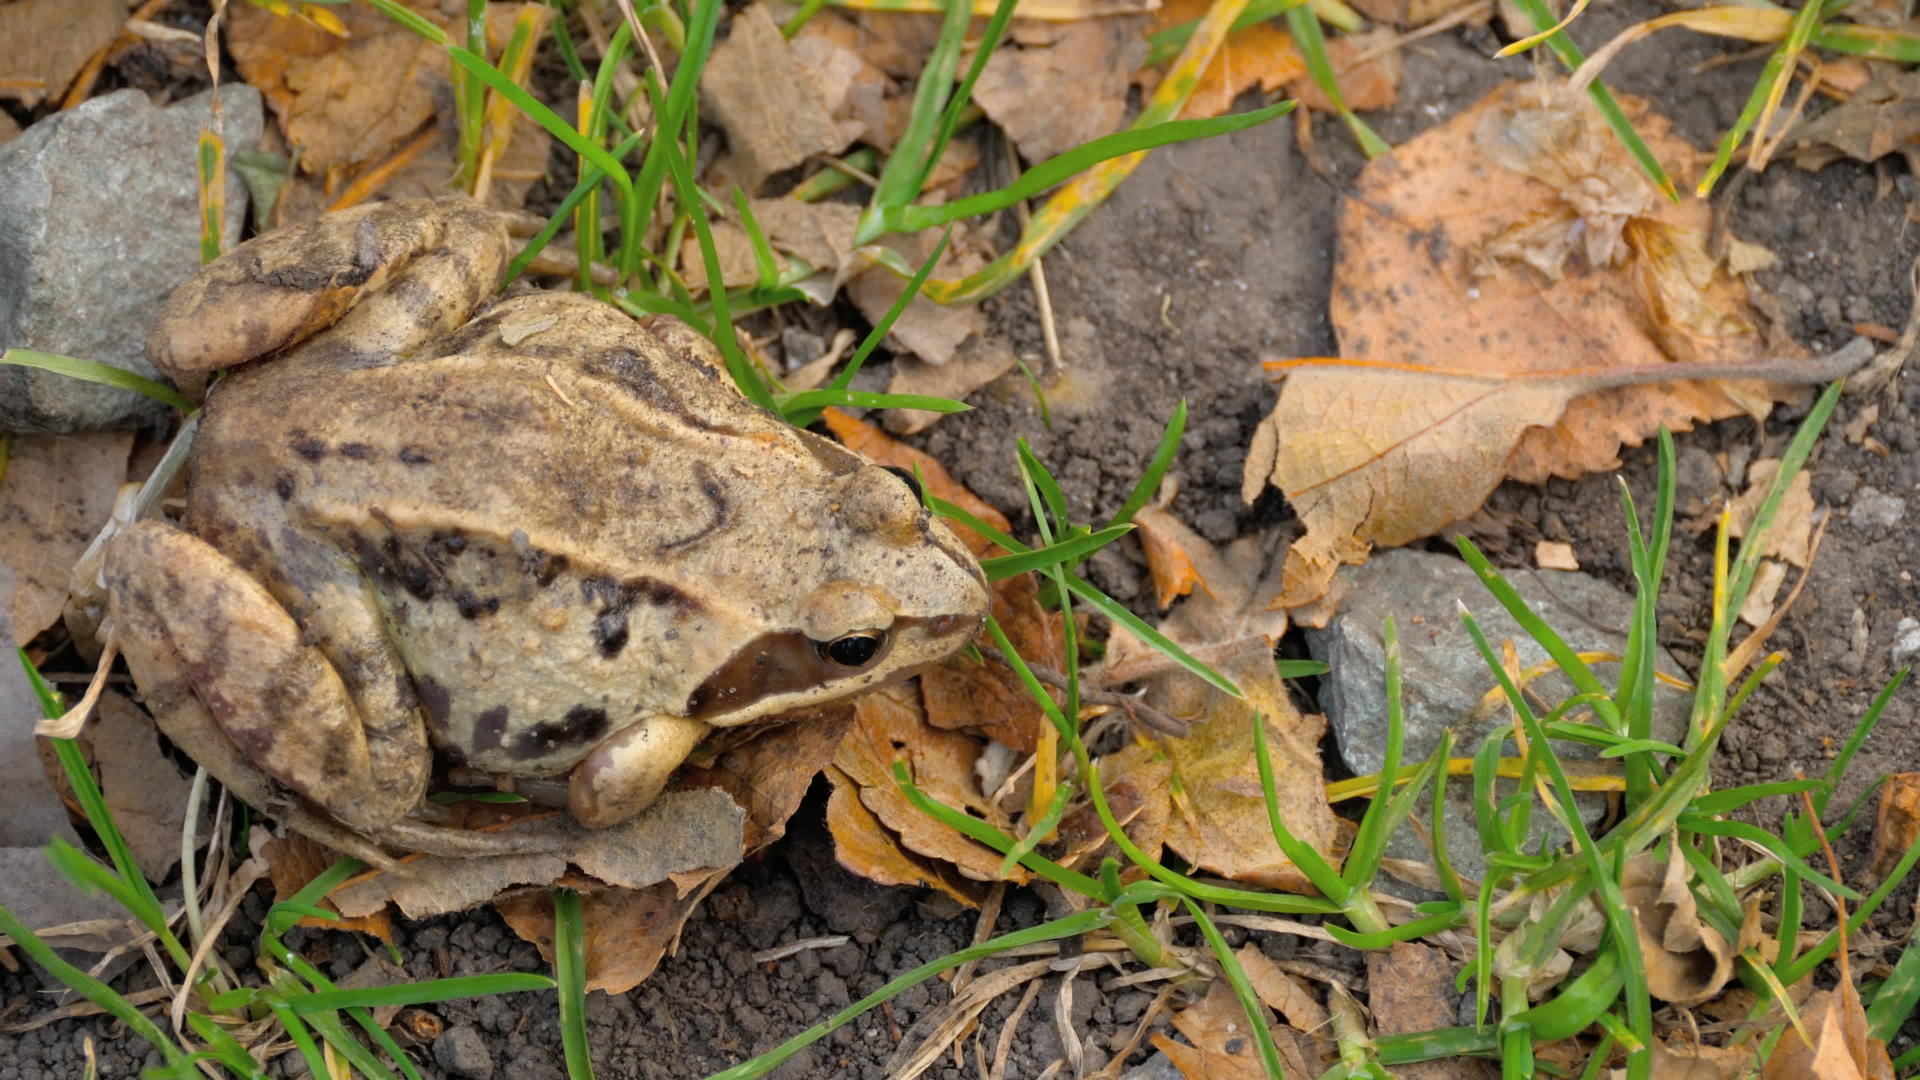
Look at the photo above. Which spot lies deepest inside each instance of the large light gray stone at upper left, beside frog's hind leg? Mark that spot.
(99, 222)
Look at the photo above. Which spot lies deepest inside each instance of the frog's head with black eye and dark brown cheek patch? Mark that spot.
(892, 595)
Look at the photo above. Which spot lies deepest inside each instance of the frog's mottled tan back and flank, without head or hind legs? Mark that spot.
(565, 522)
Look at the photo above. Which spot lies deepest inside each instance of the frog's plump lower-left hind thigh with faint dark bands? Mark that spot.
(233, 681)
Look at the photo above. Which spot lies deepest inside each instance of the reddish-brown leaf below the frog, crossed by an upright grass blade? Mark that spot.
(627, 931)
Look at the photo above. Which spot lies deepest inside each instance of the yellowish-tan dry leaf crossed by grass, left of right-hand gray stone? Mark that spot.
(1220, 820)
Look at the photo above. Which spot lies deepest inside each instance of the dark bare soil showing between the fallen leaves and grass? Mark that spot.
(1211, 258)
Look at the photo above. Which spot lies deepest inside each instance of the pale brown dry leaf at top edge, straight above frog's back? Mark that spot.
(767, 101)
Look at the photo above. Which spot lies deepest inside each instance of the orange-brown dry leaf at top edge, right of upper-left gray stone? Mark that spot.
(345, 103)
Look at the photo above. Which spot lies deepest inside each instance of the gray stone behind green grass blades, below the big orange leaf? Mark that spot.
(1443, 675)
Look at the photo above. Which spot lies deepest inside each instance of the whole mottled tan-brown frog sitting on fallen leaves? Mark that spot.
(527, 535)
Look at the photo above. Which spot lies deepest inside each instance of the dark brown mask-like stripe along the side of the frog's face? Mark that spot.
(788, 662)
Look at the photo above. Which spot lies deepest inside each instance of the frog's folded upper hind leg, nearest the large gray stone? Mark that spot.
(400, 272)
